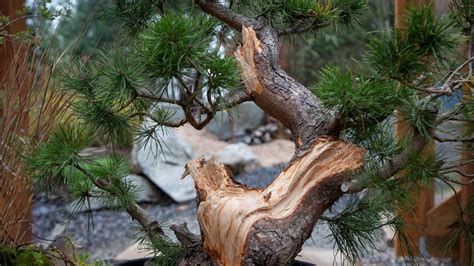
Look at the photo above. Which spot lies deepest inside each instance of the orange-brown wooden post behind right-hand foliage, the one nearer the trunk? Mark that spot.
(424, 197)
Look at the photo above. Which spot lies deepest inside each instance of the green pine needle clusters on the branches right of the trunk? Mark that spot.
(395, 70)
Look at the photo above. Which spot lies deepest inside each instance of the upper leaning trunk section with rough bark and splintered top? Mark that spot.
(277, 93)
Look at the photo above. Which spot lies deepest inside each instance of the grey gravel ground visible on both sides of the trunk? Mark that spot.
(113, 231)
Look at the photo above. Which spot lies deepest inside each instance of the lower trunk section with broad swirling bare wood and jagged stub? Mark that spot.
(249, 226)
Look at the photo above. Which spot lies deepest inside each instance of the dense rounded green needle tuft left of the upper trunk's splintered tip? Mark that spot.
(174, 43)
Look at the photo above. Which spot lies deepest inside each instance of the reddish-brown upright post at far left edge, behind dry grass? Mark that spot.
(15, 195)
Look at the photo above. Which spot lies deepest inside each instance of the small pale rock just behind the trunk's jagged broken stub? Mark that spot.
(238, 157)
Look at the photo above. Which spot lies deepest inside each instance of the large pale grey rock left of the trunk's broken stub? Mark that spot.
(162, 160)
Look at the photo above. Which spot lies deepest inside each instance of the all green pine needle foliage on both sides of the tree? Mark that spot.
(175, 55)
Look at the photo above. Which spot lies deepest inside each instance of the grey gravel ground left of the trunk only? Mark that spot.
(108, 232)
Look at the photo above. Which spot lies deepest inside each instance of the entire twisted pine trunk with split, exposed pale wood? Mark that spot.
(241, 225)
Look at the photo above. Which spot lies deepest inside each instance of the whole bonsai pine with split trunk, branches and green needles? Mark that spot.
(341, 128)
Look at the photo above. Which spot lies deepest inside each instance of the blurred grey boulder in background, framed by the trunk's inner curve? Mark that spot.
(237, 121)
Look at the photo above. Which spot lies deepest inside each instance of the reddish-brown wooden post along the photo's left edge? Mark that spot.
(15, 196)
